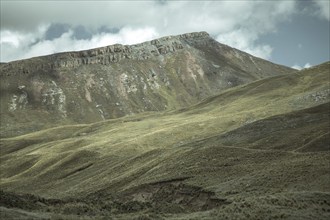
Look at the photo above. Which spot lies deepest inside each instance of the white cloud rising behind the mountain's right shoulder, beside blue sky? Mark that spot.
(261, 18)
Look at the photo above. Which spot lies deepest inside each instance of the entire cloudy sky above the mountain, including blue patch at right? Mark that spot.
(294, 33)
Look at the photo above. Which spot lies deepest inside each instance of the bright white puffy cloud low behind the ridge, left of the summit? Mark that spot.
(22, 48)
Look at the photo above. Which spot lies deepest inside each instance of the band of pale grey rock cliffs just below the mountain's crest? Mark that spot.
(110, 54)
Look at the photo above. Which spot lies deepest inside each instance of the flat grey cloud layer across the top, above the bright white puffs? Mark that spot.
(169, 17)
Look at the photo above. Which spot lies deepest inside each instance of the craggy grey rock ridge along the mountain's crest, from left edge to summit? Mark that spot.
(116, 52)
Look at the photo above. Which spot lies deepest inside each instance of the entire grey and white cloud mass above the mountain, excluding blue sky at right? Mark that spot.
(237, 23)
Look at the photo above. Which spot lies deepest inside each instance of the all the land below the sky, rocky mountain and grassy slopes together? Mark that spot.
(258, 148)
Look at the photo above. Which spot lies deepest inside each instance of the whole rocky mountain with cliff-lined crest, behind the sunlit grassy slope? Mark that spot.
(118, 80)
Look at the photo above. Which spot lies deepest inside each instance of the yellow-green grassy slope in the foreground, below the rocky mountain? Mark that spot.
(212, 144)
